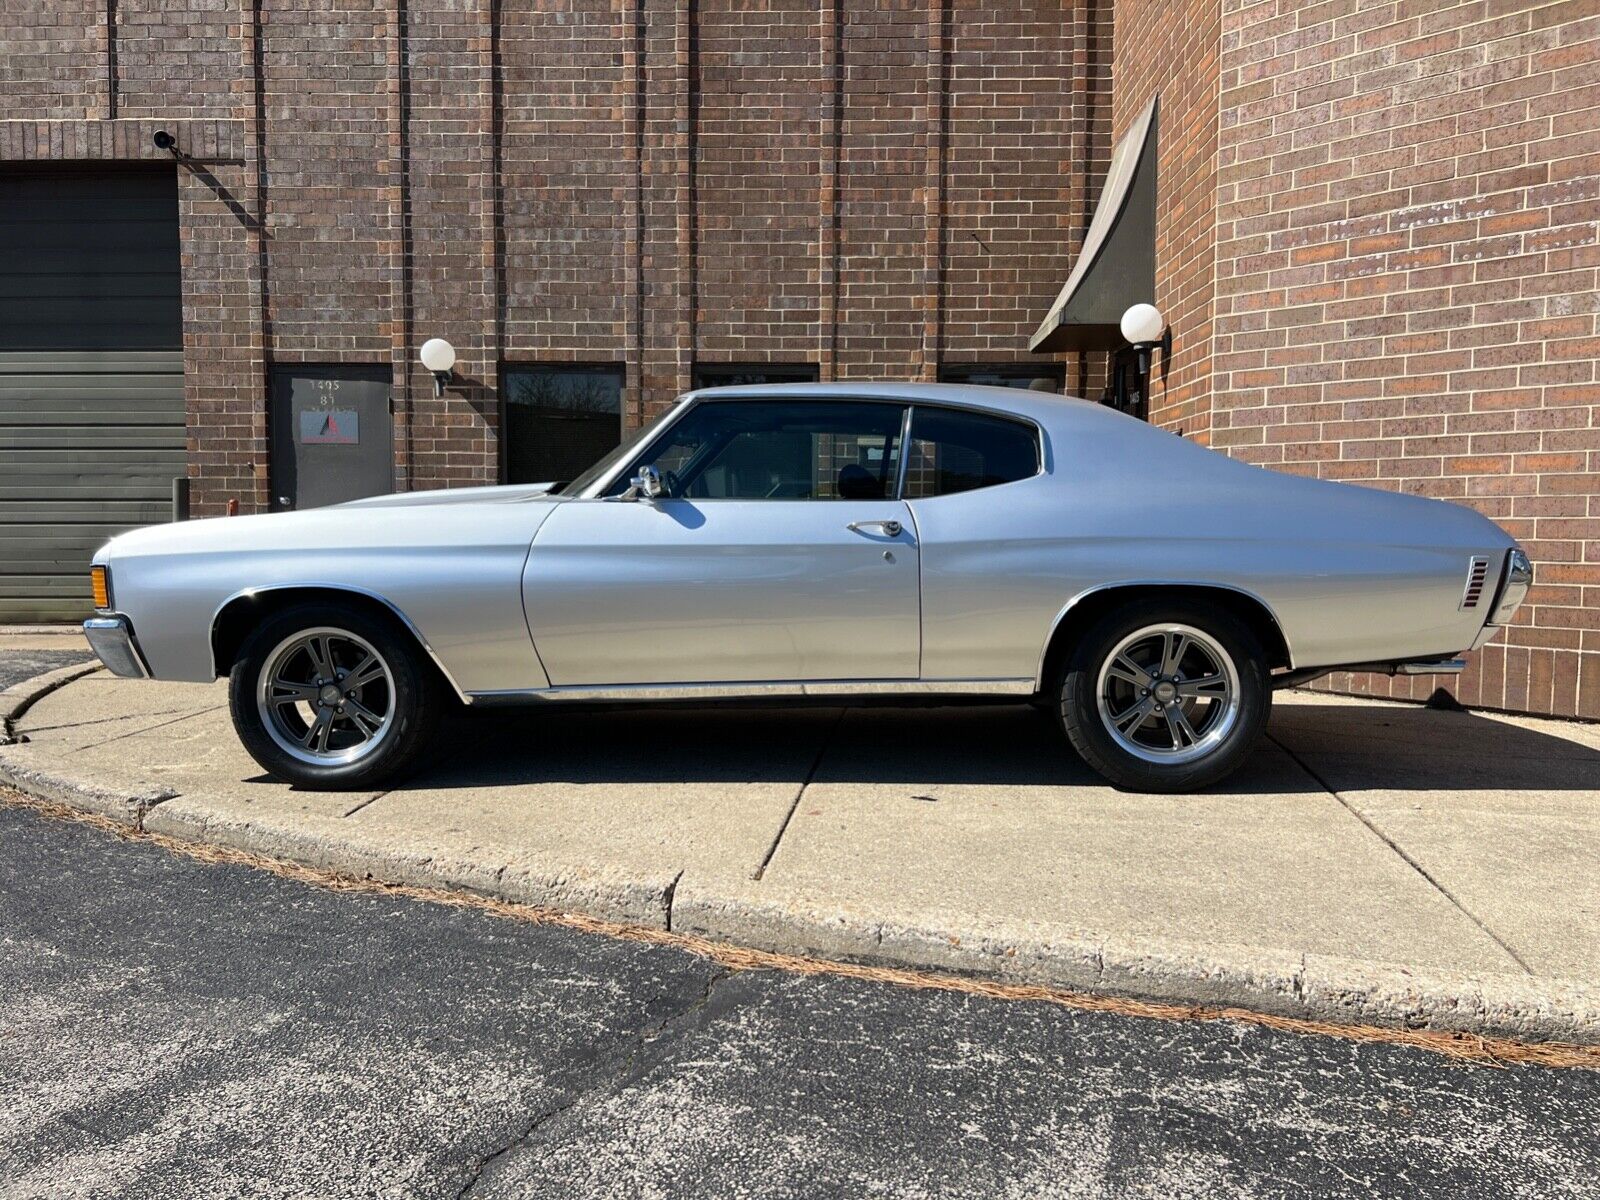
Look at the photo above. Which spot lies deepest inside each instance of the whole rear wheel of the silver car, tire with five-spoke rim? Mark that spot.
(1140, 758)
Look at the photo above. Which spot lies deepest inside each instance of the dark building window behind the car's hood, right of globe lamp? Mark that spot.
(559, 420)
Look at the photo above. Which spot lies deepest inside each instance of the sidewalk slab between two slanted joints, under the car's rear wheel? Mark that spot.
(986, 815)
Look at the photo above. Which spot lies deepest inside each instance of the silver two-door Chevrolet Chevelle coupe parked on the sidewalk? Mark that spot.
(914, 542)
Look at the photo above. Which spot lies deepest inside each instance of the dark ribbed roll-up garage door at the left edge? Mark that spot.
(92, 388)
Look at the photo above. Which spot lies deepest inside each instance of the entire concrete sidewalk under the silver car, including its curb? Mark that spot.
(1375, 862)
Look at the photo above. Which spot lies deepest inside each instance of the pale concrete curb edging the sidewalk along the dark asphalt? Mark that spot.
(1284, 983)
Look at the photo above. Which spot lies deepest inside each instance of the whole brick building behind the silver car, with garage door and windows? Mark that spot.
(1375, 241)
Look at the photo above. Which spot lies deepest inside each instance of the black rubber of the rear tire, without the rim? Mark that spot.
(1081, 711)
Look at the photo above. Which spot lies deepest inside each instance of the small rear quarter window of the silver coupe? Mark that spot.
(958, 452)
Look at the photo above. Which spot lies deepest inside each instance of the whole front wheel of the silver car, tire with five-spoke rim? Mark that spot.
(409, 692)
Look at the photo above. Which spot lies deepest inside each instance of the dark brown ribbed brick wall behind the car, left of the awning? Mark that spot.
(865, 186)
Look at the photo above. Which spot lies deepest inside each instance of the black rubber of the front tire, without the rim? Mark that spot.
(412, 697)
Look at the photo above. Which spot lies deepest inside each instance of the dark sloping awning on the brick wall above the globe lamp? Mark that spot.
(1116, 266)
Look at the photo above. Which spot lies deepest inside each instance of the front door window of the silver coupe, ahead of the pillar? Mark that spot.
(782, 450)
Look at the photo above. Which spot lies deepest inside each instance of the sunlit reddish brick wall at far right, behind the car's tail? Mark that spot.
(1407, 271)
